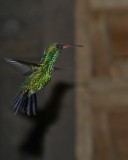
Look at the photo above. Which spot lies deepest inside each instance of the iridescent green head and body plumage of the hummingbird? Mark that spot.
(42, 73)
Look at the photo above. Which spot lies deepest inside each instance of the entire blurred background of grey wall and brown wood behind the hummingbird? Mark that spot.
(83, 112)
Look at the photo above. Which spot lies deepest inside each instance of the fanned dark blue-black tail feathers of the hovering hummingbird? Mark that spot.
(25, 104)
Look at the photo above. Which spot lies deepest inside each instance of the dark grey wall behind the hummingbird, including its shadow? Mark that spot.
(26, 27)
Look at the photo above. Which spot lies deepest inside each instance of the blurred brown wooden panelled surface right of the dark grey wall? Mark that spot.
(102, 81)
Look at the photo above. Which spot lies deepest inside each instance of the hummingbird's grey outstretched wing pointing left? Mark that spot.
(25, 68)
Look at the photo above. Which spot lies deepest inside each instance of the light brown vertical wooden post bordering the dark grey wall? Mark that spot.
(83, 62)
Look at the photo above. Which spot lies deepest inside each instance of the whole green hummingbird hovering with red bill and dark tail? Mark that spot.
(37, 77)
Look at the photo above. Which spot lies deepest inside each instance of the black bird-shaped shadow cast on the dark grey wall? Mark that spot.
(32, 144)
